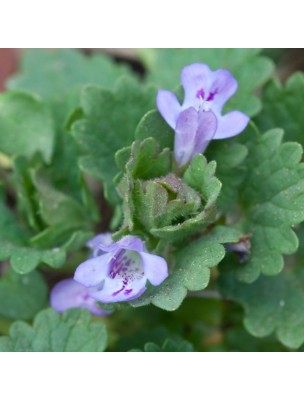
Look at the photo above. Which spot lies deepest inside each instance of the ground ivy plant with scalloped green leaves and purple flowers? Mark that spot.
(154, 205)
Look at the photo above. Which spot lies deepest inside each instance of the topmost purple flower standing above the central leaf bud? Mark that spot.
(198, 120)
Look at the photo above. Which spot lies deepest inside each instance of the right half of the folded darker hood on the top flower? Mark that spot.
(206, 130)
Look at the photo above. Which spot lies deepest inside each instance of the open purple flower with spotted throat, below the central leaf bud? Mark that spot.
(122, 271)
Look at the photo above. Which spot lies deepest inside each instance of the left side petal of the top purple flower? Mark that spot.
(168, 106)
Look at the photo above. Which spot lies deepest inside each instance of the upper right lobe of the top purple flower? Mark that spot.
(224, 86)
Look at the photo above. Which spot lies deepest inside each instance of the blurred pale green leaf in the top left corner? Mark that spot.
(59, 75)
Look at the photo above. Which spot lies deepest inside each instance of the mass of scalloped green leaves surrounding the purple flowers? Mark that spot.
(262, 190)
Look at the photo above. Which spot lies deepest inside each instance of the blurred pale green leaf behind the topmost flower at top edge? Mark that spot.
(249, 68)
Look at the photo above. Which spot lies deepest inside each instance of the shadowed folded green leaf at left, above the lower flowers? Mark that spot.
(54, 216)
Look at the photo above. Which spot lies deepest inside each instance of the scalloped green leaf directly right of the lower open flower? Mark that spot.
(191, 272)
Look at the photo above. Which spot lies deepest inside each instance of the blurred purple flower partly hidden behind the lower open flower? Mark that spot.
(71, 294)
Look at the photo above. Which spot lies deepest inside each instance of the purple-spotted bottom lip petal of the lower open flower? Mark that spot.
(115, 290)
